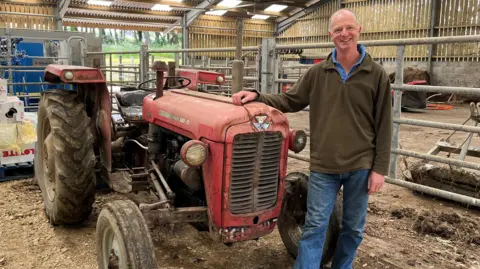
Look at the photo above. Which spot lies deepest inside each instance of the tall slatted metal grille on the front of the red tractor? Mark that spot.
(255, 171)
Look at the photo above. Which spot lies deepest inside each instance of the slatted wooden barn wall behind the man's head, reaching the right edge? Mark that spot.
(396, 19)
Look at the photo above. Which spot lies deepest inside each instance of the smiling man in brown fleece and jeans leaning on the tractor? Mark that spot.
(350, 126)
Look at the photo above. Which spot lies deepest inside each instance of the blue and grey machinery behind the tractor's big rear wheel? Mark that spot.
(25, 53)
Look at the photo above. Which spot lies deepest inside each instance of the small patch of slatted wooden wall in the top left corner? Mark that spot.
(27, 22)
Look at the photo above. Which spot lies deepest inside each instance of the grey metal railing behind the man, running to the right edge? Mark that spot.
(398, 87)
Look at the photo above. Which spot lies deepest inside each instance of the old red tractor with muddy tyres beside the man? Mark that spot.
(220, 167)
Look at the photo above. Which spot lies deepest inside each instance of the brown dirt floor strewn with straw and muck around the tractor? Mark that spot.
(404, 229)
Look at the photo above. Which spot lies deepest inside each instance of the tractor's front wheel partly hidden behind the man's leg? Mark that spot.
(293, 213)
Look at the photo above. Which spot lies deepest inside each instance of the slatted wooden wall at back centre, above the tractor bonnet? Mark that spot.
(220, 32)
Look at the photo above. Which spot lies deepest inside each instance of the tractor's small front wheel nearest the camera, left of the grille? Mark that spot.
(123, 238)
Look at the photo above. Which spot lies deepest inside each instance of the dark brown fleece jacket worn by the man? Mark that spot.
(350, 123)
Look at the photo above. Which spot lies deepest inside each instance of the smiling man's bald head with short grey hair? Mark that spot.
(344, 31)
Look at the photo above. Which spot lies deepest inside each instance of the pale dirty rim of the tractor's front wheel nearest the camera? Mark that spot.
(112, 254)
